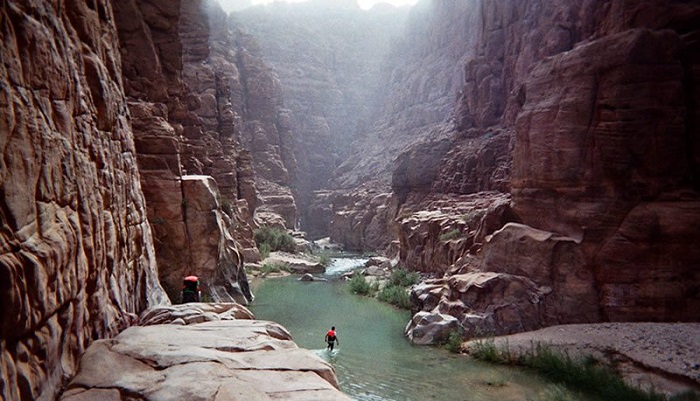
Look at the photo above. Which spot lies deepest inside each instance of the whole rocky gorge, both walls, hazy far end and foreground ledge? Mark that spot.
(538, 163)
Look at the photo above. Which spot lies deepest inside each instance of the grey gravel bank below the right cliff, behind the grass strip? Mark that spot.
(662, 356)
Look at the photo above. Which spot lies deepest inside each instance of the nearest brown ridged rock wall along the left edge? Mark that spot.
(77, 260)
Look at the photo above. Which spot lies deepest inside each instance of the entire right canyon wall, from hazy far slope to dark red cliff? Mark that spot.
(568, 126)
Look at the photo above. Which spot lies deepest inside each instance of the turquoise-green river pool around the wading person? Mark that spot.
(374, 361)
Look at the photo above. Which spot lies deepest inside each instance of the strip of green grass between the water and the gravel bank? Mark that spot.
(584, 375)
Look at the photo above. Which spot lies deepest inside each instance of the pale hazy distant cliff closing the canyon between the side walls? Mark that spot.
(328, 56)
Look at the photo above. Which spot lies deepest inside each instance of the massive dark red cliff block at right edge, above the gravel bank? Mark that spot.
(609, 156)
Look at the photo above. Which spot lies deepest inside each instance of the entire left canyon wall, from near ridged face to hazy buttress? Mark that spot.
(119, 118)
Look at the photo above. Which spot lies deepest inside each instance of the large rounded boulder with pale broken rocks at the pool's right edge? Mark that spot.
(521, 279)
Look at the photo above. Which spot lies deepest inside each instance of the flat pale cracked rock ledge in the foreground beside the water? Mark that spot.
(219, 359)
